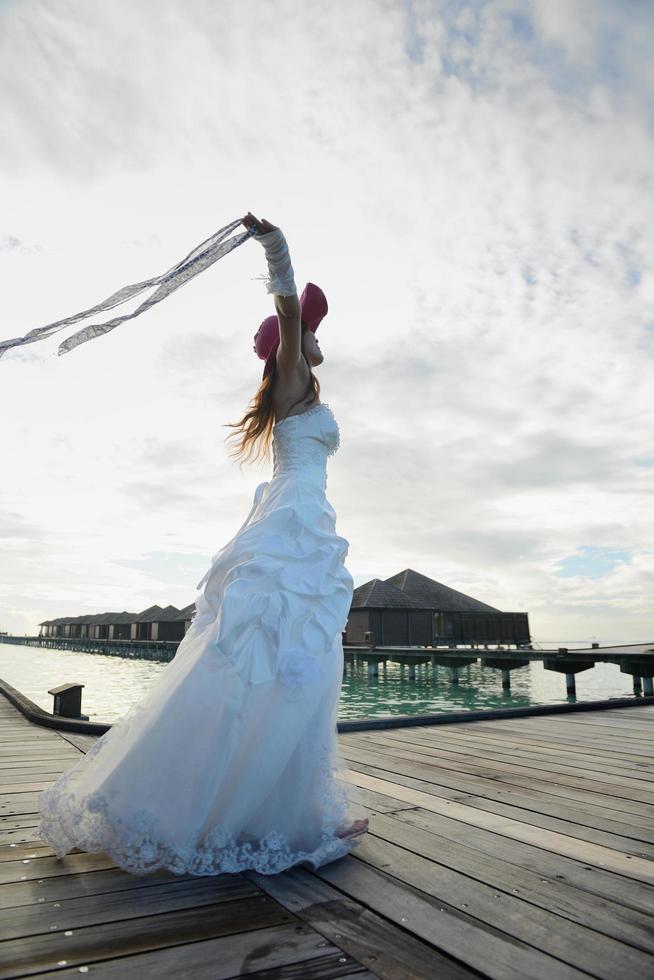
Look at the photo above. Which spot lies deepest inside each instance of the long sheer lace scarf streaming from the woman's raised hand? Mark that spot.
(204, 255)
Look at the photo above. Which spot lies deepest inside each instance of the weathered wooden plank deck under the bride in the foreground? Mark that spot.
(517, 848)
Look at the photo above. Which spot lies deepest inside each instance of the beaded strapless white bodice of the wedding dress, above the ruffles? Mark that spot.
(302, 443)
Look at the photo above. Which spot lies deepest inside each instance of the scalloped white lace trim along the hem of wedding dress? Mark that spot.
(137, 843)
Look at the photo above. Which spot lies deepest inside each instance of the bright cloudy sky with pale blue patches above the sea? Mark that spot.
(471, 186)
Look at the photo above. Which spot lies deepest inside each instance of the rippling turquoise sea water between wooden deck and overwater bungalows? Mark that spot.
(114, 684)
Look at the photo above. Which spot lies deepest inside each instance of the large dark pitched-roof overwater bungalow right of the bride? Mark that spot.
(409, 609)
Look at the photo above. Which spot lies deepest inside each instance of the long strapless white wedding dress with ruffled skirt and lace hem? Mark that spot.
(231, 760)
